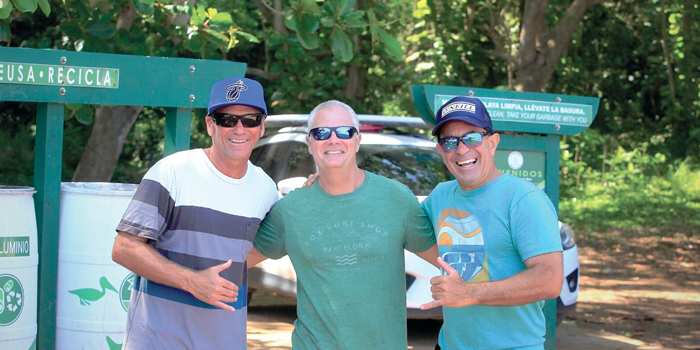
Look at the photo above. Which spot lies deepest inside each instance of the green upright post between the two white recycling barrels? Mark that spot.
(48, 155)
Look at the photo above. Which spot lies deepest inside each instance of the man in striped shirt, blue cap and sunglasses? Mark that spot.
(188, 230)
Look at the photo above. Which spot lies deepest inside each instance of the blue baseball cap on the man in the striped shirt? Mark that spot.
(236, 91)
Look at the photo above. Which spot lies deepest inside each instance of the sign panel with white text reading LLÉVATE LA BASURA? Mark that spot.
(539, 112)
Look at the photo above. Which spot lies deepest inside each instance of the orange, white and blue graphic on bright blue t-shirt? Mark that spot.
(461, 245)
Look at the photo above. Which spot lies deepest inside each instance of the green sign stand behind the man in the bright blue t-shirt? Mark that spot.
(529, 125)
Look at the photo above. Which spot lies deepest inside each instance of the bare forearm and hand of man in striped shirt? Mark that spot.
(135, 254)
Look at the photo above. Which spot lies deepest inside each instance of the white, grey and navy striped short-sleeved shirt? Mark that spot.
(198, 217)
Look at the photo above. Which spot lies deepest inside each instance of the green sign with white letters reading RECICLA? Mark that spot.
(58, 75)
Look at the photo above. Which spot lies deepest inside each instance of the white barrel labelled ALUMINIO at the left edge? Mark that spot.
(18, 268)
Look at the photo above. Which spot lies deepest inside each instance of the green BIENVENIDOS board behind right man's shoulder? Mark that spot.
(527, 165)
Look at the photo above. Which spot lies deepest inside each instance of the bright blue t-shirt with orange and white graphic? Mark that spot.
(486, 234)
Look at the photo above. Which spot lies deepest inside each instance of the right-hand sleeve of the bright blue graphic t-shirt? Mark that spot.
(534, 225)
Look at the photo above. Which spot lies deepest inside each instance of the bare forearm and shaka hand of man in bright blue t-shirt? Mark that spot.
(541, 280)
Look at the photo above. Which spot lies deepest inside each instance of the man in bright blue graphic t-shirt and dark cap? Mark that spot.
(498, 239)
